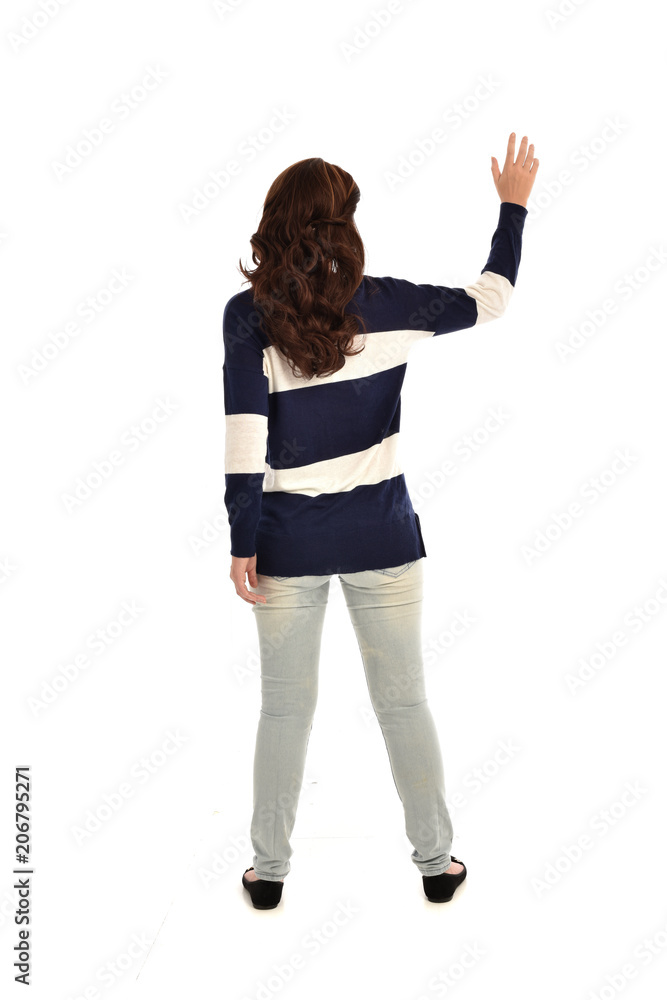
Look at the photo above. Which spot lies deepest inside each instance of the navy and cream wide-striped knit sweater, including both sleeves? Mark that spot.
(313, 477)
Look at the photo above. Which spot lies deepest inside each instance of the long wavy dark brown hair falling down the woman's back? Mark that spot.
(310, 261)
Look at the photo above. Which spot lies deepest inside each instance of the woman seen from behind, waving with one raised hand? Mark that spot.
(315, 356)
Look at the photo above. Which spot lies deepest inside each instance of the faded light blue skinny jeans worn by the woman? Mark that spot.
(385, 606)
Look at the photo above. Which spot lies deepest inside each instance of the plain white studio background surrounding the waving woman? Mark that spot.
(130, 673)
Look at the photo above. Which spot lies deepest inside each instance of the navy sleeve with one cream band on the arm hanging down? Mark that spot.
(246, 399)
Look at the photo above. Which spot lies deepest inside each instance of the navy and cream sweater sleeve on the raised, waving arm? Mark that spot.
(440, 309)
